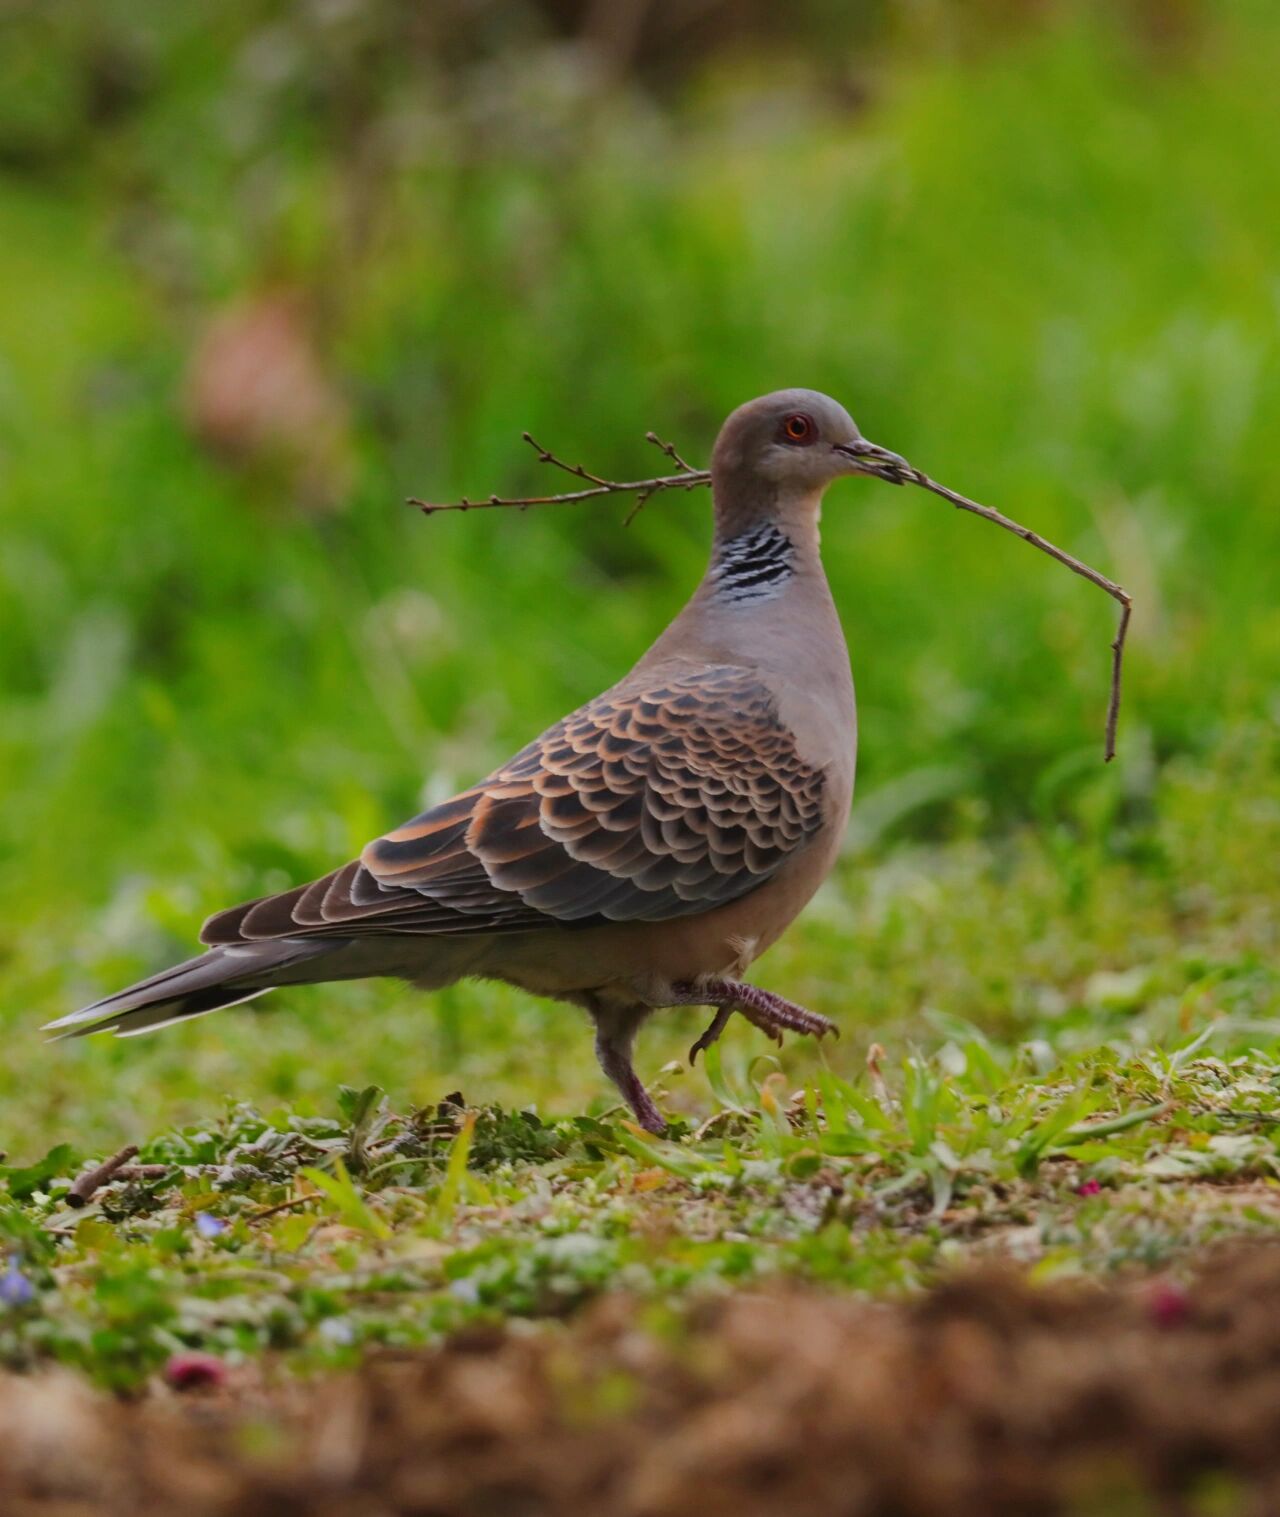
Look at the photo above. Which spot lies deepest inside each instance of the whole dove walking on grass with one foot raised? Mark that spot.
(644, 850)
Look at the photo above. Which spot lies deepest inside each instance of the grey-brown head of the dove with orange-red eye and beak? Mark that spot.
(777, 456)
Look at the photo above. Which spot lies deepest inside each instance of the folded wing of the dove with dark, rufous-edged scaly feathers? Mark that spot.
(656, 800)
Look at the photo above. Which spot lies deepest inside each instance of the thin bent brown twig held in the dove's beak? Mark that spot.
(691, 479)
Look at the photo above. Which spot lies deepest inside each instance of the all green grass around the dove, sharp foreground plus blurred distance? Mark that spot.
(1044, 271)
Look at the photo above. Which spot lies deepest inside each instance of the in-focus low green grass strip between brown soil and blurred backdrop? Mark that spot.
(319, 1237)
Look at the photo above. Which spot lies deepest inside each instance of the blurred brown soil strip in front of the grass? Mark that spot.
(988, 1396)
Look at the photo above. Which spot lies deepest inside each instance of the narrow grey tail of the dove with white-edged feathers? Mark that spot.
(216, 979)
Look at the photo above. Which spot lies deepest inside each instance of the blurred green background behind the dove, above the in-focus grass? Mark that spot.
(266, 271)
